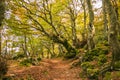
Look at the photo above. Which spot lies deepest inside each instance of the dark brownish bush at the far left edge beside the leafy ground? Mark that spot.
(3, 67)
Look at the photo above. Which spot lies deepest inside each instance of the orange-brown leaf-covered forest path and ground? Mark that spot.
(48, 69)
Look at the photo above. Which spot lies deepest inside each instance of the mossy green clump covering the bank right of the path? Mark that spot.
(93, 60)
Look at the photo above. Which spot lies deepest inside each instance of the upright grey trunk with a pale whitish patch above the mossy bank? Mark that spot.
(91, 29)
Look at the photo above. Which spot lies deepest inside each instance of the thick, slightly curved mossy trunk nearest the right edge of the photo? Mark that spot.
(114, 43)
